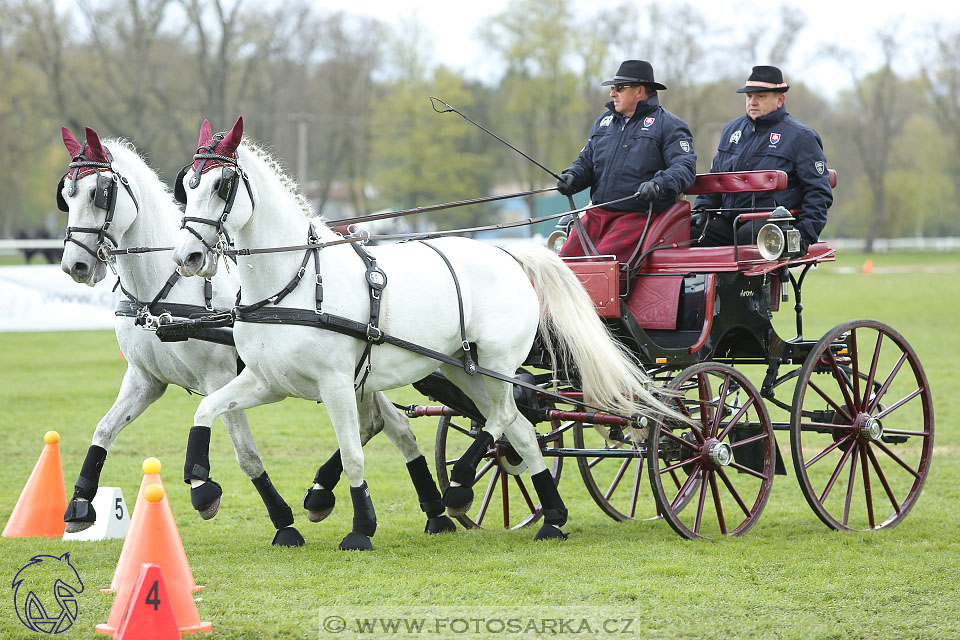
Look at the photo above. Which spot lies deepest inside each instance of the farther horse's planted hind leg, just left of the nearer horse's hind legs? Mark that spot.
(397, 428)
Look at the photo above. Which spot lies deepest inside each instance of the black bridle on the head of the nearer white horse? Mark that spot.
(231, 173)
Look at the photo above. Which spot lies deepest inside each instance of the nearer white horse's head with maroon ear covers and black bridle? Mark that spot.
(209, 188)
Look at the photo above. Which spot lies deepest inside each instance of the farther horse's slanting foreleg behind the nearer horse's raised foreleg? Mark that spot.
(249, 460)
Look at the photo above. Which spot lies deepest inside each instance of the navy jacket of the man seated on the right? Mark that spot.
(775, 141)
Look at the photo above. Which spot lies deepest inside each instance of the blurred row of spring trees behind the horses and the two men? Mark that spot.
(343, 100)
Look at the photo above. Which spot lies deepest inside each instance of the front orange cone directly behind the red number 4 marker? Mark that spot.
(158, 542)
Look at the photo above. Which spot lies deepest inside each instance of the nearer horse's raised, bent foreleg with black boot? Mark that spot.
(243, 392)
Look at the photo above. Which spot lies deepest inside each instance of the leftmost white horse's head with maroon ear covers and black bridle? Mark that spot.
(97, 218)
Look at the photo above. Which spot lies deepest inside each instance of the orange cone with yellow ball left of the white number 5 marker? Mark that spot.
(39, 511)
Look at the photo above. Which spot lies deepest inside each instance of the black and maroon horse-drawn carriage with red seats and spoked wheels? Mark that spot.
(855, 401)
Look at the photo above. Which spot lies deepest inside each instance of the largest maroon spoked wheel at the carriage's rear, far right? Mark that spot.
(861, 427)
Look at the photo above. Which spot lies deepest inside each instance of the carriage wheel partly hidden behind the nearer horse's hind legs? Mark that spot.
(503, 492)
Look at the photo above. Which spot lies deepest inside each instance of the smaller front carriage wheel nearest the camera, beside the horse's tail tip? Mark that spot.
(728, 452)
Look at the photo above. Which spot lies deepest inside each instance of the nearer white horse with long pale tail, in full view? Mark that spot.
(493, 306)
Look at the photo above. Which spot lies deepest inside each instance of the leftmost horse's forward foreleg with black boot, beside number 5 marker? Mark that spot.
(137, 392)
